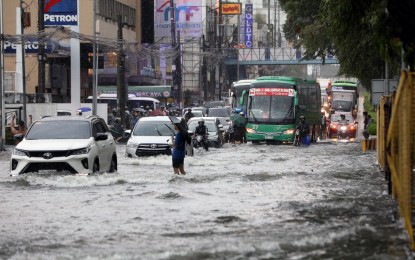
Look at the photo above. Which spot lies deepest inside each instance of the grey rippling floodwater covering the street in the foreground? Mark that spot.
(325, 201)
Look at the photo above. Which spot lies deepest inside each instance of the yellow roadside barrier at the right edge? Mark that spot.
(396, 142)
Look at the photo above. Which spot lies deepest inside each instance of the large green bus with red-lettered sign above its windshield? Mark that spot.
(275, 105)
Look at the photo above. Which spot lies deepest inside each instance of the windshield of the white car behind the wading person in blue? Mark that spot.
(154, 128)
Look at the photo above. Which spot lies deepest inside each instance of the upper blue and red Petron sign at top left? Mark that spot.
(61, 12)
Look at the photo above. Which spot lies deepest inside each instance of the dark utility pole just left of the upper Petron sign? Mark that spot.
(41, 50)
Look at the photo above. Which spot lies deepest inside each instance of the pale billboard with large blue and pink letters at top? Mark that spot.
(188, 18)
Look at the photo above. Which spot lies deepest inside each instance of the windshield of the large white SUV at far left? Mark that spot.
(59, 129)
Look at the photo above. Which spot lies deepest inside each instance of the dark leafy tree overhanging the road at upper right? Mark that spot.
(358, 32)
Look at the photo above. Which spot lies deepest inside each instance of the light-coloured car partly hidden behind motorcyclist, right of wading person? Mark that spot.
(215, 129)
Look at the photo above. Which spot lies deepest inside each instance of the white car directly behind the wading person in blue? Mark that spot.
(152, 136)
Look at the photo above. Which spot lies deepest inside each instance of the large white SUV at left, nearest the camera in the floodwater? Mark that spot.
(72, 144)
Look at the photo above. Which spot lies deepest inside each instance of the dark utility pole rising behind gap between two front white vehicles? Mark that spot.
(121, 88)
